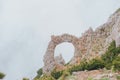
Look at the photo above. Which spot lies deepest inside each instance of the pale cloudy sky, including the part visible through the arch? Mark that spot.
(26, 27)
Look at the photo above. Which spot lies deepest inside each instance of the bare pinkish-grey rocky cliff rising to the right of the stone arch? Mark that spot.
(95, 43)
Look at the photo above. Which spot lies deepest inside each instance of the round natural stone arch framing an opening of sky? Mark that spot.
(49, 61)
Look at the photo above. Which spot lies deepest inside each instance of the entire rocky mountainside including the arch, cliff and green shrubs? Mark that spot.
(96, 55)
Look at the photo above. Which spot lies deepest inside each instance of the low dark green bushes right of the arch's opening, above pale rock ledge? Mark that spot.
(91, 65)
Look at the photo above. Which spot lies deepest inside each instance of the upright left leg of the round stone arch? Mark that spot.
(49, 62)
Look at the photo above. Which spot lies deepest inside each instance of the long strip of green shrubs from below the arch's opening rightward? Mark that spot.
(84, 65)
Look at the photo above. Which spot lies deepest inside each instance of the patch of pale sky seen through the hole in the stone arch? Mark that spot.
(66, 50)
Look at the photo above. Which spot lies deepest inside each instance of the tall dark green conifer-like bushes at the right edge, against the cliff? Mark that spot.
(111, 57)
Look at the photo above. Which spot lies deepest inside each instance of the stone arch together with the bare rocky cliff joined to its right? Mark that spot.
(89, 45)
